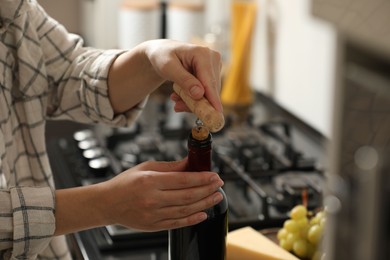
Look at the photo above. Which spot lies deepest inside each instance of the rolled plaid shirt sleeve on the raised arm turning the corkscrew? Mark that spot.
(77, 76)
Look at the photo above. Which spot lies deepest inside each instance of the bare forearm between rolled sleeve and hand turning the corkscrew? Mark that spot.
(131, 78)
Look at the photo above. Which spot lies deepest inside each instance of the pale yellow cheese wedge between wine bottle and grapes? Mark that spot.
(249, 244)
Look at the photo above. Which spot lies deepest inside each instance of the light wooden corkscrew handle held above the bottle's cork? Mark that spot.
(211, 118)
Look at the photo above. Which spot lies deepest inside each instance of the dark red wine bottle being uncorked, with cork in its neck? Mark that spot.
(206, 240)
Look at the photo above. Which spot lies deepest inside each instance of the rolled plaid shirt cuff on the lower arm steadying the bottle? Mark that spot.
(26, 221)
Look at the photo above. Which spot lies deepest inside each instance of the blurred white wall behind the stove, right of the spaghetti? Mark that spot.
(304, 56)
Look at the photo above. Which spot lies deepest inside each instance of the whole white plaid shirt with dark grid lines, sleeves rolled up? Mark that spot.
(45, 73)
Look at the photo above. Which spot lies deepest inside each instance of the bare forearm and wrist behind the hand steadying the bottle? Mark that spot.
(79, 209)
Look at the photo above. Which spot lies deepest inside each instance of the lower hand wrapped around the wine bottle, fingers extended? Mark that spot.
(159, 195)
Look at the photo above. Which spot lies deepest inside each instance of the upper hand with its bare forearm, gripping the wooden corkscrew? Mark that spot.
(139, 71)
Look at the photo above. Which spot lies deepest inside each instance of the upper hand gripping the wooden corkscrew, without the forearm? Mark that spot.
(195, 68)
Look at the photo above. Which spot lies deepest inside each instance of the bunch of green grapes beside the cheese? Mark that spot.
(302, 233)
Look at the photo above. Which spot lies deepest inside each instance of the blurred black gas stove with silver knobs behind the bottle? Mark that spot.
(265, 164)
